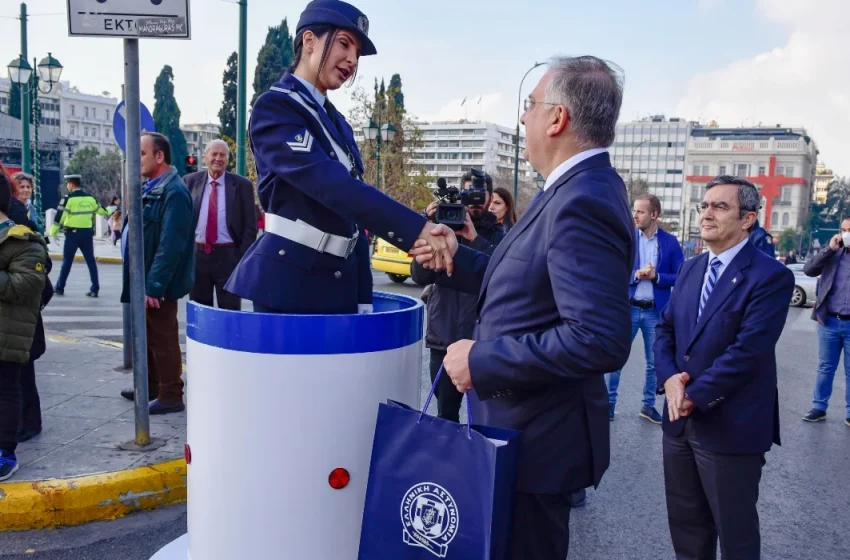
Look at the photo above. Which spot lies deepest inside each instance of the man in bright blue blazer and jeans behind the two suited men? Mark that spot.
(658, 257)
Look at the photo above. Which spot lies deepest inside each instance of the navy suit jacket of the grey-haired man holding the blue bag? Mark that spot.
(554, 318)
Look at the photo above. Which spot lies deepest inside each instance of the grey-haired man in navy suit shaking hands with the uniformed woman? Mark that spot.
(553, 312)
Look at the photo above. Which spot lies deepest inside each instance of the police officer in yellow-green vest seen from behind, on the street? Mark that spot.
(76, 215)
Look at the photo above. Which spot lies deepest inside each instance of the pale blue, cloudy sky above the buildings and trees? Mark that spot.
(734, 61)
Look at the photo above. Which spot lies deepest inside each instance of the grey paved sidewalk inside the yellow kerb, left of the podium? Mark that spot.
(85, 418)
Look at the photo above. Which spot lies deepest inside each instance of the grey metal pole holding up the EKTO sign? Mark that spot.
(135, 249)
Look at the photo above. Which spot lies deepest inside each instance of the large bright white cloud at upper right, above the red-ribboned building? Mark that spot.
(803, 83)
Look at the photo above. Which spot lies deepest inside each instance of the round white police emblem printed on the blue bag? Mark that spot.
(429, 517)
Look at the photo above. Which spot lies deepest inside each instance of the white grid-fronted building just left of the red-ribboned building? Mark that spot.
(653, 151)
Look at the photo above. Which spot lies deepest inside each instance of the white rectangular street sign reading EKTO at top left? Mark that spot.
(129, 18)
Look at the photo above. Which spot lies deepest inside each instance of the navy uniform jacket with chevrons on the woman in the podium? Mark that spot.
(300, 177)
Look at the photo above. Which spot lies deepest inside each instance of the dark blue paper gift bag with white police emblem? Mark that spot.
(438, 489)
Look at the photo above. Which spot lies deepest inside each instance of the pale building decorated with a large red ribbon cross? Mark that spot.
(780, 161)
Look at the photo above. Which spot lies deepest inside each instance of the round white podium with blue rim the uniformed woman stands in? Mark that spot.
(281, 416)
